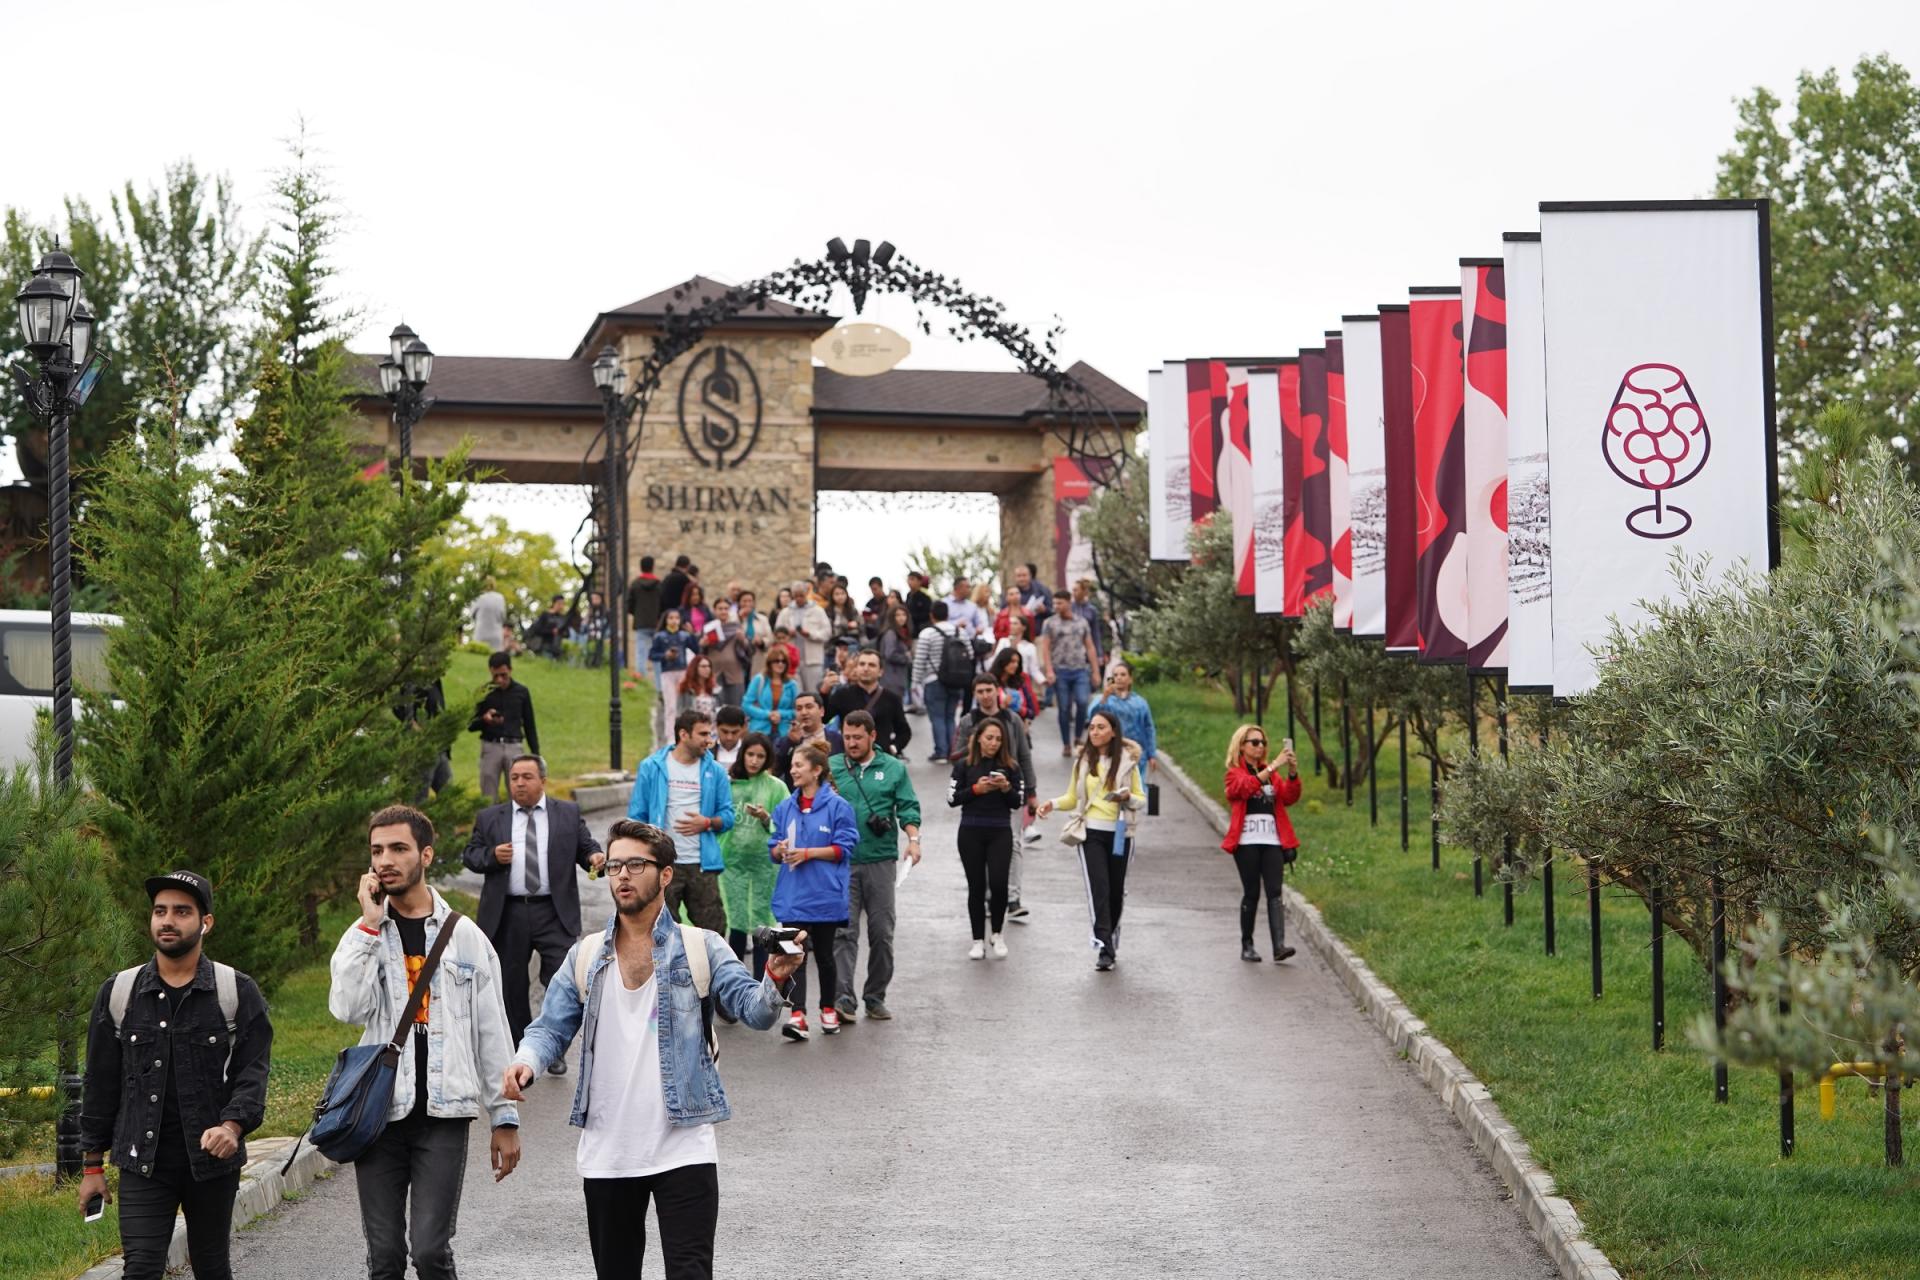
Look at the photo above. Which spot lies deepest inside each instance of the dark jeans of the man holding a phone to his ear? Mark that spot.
(427, 1158)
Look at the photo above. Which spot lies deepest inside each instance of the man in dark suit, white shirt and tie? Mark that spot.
(531, 903)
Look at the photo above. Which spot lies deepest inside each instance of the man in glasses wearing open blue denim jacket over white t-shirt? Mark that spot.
(636, 997)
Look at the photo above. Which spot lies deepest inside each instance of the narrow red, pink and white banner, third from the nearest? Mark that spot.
(1485, 314)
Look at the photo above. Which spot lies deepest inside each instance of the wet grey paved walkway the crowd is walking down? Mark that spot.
(1184, 1116)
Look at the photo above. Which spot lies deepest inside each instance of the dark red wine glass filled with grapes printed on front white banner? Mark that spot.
(1656, 440)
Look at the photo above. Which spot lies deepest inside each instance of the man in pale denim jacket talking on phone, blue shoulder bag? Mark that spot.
(462, 1049)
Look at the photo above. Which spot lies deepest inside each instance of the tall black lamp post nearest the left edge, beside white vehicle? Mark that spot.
(60, 337)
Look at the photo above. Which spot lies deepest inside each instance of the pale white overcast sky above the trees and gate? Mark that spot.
(1170, 179)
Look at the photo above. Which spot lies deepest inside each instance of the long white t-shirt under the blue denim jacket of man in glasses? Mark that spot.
(629, 1133)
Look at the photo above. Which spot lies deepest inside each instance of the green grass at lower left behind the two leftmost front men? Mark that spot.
(41, 1229)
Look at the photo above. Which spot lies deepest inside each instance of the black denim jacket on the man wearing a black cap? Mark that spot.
(214, 1081)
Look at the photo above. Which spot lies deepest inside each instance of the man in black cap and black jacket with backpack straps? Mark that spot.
(178, 1056)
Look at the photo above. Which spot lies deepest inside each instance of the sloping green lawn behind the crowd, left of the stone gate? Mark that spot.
(569, 711)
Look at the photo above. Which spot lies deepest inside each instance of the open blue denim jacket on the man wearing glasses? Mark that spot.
(688, 1076)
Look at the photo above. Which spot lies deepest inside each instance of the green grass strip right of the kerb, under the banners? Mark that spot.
(1668, 1181)
